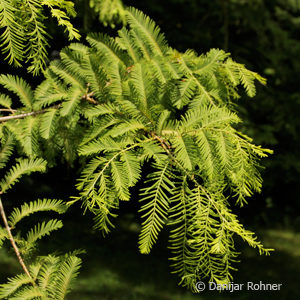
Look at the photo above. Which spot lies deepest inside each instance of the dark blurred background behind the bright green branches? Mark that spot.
(262, 34)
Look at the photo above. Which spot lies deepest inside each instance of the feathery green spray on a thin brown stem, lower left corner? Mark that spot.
(47, 277)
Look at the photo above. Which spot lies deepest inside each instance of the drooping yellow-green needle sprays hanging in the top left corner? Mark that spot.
(25, 37)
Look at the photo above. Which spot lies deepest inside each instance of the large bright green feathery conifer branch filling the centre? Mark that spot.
(132, 102)
